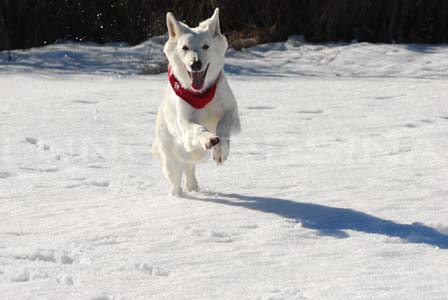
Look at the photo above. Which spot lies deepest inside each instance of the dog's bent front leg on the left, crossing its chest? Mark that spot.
(194, 135)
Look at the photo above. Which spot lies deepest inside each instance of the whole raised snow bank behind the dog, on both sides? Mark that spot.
(291, 58)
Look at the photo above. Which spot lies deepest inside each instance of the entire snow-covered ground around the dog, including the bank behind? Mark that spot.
(336, 188)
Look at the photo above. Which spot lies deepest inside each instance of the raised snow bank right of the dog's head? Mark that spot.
(296, 58)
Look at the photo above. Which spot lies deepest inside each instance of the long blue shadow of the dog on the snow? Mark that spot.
(332, 221)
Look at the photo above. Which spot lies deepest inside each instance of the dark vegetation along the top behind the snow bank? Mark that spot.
(30, 23)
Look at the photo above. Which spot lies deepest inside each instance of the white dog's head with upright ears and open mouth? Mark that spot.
(196, 55)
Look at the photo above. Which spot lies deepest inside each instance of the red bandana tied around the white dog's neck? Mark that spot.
(197, 100)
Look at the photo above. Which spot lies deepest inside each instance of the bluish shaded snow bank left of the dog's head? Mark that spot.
(76, 57)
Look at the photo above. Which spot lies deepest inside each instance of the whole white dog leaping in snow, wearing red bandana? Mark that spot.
(199, 111)
